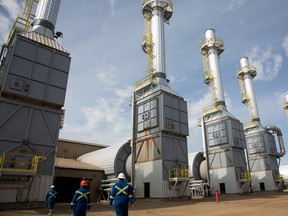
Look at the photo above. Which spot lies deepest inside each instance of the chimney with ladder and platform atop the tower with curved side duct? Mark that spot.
(245, 75)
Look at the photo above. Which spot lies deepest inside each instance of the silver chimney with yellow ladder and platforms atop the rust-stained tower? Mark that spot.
(156, 13)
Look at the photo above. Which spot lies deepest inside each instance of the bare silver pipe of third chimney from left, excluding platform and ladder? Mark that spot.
(213, 58)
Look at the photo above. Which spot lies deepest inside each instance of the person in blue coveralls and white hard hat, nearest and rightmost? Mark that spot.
(122, 194)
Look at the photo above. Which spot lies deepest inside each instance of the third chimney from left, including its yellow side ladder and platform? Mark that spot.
(211, 48)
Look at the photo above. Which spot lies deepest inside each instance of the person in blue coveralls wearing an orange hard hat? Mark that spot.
(81, 200)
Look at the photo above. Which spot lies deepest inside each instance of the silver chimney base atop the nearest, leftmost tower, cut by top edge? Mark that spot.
(46, 16)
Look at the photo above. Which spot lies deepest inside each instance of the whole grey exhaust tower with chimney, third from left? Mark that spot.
(223, 136)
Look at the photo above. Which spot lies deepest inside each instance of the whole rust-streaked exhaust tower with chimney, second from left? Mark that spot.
(160, 118)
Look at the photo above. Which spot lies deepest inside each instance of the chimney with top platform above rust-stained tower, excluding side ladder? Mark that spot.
(159, 11)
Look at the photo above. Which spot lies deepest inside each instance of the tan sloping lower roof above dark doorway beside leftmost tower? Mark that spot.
(74, 164)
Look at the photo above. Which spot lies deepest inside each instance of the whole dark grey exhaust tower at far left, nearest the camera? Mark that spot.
(33, 89)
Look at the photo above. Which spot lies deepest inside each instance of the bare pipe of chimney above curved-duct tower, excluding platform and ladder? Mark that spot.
(252, 103)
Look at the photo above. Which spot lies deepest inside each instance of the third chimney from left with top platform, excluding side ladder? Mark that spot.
(213, 47)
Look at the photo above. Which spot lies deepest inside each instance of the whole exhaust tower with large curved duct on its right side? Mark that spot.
(263, 156)
